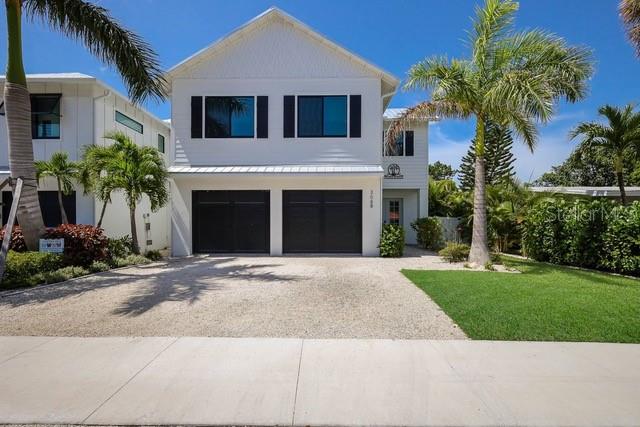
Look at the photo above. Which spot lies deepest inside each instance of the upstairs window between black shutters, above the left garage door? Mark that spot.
(229, 117)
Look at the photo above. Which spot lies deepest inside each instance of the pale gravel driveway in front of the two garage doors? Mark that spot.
(306, 297)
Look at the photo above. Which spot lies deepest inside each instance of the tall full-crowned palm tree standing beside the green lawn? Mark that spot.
(513, 79)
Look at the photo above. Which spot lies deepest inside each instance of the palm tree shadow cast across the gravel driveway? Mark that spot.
(174, 280)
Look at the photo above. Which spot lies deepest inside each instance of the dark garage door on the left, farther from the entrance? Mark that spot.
(230, 221)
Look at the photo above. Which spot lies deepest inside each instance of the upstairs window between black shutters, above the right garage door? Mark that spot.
(322, 116)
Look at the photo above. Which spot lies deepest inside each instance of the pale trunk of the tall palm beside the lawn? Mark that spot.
(479, 254)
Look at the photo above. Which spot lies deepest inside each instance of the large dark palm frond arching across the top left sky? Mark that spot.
(105, 38)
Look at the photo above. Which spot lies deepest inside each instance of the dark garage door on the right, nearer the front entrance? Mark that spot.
(322, 221)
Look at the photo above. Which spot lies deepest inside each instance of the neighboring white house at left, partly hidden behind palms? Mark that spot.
(69, 112)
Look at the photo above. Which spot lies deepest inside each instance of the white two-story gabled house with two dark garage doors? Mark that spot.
(276, 147)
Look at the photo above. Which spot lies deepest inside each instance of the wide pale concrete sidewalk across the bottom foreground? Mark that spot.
(316, 382)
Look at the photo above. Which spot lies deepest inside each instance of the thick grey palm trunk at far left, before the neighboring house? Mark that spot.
(17, 104)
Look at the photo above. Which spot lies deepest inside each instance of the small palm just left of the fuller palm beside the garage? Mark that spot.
(92, 178)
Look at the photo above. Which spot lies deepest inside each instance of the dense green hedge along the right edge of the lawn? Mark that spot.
(585, 233)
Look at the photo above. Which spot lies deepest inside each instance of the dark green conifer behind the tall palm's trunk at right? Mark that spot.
(498, 158)
